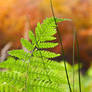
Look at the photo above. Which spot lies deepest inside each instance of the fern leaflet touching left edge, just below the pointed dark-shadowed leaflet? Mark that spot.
(14, 65)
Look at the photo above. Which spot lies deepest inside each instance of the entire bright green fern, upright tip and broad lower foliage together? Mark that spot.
(33, 71)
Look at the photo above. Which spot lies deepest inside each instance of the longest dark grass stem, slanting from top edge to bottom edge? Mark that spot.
(62, 49)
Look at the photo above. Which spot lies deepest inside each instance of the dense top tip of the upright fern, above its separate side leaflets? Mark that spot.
(46, 29)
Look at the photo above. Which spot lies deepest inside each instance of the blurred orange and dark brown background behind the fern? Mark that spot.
(19, 16)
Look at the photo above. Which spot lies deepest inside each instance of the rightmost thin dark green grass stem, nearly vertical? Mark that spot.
(78, 58)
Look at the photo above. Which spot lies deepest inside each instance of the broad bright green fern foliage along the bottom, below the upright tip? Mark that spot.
(34, 74)
